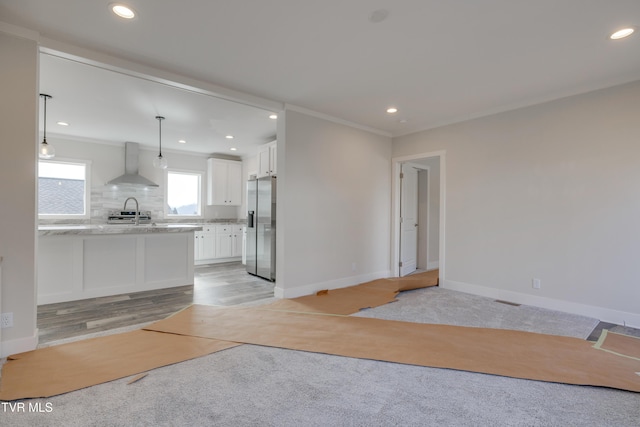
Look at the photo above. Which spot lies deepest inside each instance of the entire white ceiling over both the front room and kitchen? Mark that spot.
(437, 61)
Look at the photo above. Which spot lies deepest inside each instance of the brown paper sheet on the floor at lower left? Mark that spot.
(67, 367)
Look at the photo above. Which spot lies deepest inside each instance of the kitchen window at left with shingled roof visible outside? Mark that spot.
(63, 189)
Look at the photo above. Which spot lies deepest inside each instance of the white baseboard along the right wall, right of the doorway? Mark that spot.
(601, 313)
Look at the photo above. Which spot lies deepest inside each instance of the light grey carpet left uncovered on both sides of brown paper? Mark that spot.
(259, 386)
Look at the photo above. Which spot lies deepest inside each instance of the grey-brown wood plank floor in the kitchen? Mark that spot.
(214, 284)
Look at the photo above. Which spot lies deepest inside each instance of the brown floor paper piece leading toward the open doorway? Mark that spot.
(354, 298)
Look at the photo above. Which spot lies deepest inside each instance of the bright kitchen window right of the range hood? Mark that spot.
(184, 194)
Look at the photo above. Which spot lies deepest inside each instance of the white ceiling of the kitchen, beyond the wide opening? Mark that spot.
(107, 106)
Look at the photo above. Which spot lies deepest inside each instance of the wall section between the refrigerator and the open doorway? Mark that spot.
(334, 193)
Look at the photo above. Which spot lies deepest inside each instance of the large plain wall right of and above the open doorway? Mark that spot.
(552, 192)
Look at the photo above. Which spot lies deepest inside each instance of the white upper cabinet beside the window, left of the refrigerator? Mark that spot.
(224, 182)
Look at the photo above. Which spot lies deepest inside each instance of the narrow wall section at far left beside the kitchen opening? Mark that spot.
(18, 140)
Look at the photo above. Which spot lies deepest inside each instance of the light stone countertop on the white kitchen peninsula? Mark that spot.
(98, 229)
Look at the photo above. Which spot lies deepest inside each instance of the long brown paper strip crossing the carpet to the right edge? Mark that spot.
(493, 351)
